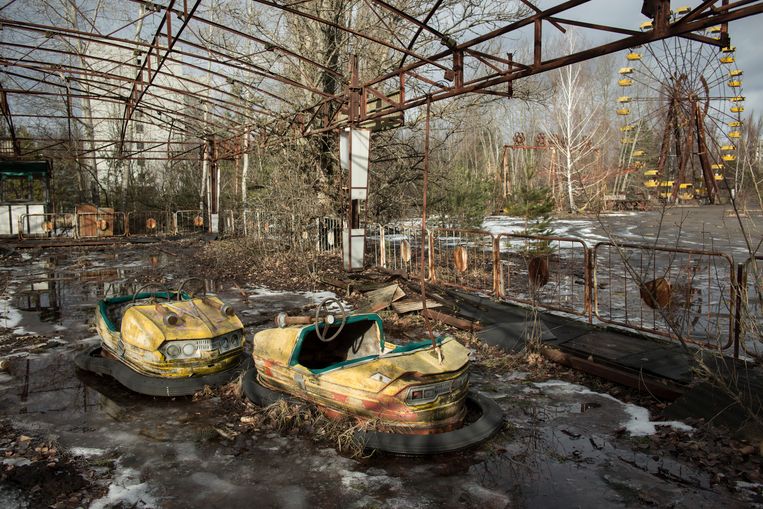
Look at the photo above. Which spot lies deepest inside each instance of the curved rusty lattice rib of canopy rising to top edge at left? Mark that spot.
(137, 94)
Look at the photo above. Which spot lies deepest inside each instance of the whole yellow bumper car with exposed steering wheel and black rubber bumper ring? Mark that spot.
(418, 393)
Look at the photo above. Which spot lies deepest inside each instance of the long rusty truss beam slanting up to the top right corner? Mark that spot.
(676, 29)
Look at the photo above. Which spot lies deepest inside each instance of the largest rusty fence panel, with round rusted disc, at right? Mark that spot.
(678, 293)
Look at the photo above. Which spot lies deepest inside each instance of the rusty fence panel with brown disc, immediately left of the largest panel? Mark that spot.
(545, 271)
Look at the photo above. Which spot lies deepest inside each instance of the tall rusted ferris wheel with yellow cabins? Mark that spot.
(680, 106)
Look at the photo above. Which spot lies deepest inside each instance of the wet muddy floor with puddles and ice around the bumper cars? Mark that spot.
(562, 442)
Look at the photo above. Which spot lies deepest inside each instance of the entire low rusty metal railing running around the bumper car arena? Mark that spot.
(695, 295)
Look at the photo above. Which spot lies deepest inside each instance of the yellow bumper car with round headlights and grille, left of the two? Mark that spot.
(163, 343)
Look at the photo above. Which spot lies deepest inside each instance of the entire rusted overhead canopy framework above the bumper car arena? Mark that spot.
(86, 77)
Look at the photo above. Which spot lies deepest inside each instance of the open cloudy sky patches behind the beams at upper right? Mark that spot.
(745, 35)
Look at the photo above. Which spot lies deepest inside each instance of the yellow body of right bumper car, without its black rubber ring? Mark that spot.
(360, 374)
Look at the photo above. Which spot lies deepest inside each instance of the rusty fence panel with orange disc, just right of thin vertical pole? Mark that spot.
(463, 259)
